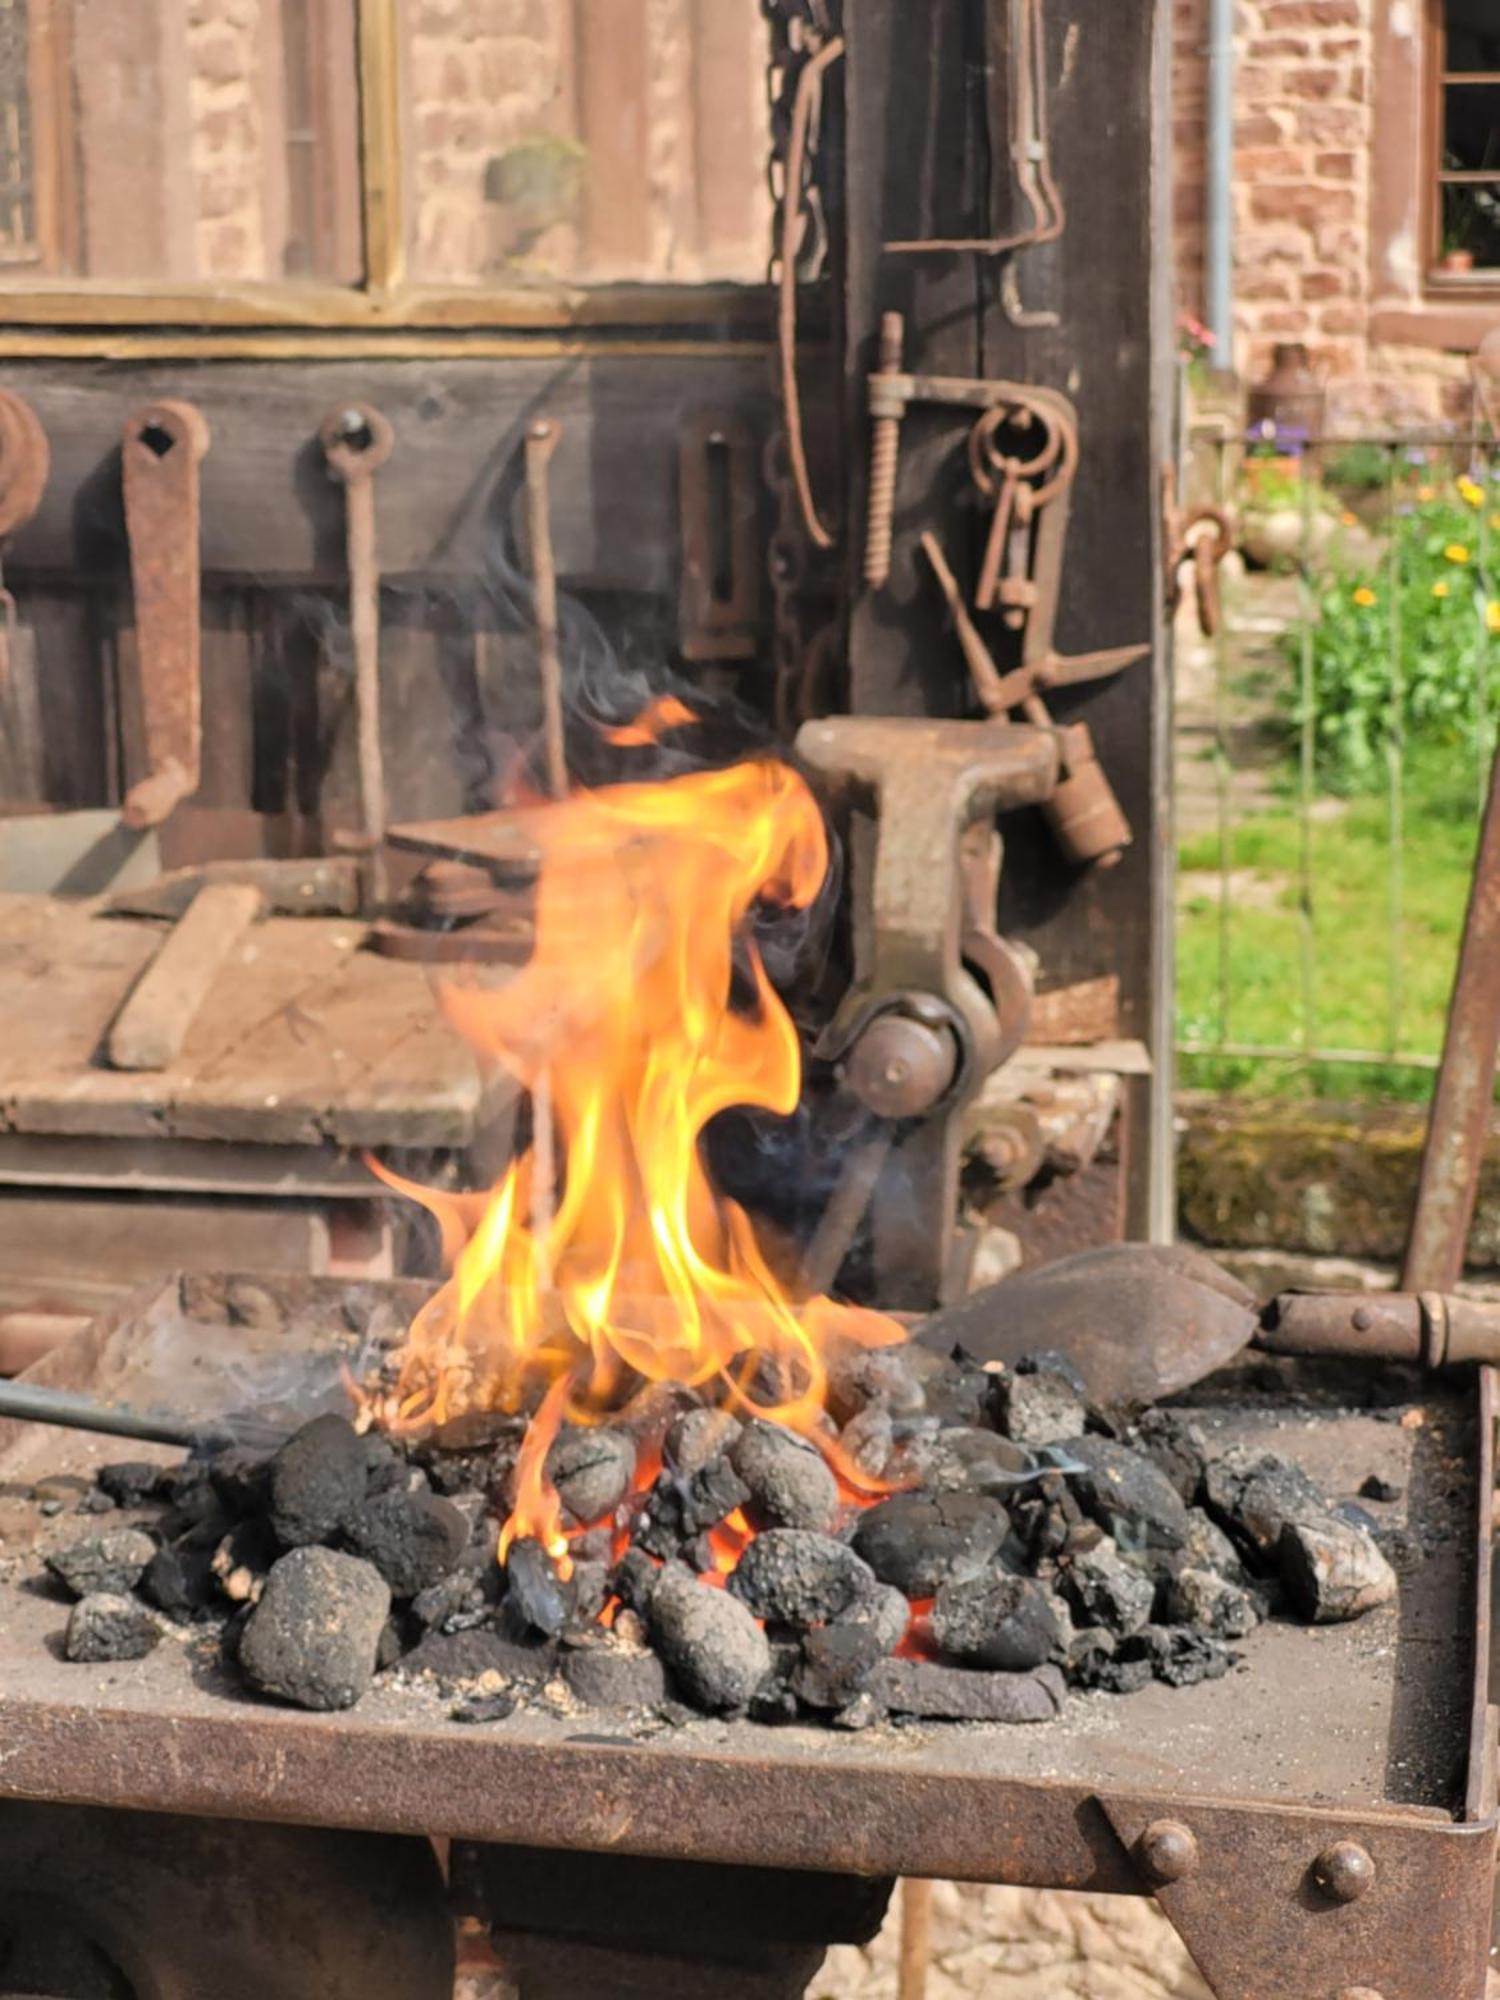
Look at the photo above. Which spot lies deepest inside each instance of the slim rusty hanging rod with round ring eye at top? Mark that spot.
(357, 441)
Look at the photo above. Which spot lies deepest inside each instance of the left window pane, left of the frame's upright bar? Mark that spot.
(167, 143)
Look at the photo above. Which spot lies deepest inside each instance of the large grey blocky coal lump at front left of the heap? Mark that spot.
(315, 1637)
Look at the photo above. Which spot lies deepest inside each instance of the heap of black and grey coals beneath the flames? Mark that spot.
(715, 1563)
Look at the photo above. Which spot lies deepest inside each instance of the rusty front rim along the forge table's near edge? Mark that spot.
(597, 1795)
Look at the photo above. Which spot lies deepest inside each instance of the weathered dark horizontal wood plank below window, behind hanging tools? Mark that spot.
(445, 501)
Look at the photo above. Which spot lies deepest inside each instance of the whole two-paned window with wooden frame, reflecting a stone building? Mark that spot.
(397, 165)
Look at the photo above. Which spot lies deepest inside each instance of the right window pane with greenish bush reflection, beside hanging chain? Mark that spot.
(589, 141)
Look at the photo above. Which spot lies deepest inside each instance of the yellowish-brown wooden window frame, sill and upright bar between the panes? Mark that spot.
(385, 311)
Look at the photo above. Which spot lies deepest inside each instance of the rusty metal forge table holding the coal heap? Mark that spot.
(725, 1857)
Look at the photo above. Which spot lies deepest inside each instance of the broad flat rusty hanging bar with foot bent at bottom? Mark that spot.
(161, 453)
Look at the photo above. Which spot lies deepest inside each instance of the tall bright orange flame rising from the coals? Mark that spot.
(643, 1013)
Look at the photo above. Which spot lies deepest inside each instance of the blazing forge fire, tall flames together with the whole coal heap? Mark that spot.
(627, 1459)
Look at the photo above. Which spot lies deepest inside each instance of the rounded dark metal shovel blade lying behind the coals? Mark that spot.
(1139, 1321)
